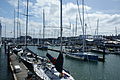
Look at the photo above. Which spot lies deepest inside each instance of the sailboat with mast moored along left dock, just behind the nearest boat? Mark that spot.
(24, 54)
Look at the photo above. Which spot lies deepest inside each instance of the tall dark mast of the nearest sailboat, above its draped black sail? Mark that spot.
(61, 26)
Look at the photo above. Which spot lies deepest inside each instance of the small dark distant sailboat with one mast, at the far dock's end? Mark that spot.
(43, 46)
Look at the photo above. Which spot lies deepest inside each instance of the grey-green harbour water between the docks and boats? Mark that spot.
(80, 70)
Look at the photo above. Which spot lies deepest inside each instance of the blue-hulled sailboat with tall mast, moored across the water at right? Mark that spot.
(82, 55)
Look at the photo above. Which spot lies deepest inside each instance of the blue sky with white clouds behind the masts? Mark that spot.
(106, 11)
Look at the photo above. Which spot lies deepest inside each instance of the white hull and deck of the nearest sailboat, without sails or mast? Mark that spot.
(50, 73)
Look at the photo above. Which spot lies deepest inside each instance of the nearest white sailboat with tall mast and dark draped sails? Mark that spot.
(53, 69)
